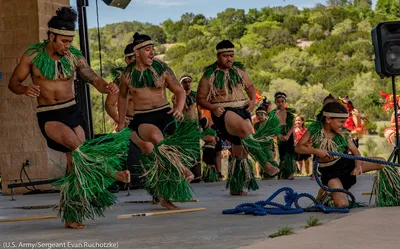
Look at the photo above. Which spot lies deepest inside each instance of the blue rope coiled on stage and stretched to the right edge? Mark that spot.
(292, 198)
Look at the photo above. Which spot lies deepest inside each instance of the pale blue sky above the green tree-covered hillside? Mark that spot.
(157, 11)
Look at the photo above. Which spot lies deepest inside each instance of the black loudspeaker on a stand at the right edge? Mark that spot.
(386, 41)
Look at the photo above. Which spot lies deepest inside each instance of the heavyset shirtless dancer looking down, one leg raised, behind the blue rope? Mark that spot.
(221, 91)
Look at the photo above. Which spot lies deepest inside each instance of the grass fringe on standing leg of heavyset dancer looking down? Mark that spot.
(241, 175)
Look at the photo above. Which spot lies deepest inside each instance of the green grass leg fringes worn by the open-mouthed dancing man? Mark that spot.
(164, 168)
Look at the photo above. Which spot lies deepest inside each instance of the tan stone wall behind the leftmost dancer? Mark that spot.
(22, 22)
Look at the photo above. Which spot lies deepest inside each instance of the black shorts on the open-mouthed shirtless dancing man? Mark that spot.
(159, 118)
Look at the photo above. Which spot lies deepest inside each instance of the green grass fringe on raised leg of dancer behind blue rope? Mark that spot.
(258, 144)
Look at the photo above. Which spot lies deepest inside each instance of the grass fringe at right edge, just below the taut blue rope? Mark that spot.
(387, 187)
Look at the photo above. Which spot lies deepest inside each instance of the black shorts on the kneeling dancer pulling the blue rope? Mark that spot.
(342, 169)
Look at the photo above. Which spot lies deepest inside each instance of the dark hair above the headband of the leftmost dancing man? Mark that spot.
(64, 19)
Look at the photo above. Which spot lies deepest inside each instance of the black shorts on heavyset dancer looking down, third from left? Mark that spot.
(220, 123)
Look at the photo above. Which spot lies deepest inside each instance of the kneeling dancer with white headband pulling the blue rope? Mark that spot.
(327, 134)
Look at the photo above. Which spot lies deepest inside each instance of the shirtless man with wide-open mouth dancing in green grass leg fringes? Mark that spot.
(168, 148)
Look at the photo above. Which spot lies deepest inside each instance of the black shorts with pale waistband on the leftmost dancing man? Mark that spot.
(66, 113)
